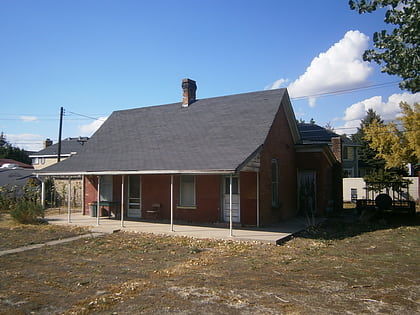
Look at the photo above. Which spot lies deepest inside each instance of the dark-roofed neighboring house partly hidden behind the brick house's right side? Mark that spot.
(312, 133)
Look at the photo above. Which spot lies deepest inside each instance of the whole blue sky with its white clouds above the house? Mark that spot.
(93, 57)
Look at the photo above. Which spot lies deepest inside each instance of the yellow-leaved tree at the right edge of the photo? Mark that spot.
(397, 143)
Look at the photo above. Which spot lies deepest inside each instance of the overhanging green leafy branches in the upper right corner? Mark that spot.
(398, 50)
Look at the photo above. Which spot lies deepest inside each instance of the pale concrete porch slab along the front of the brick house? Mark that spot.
(275, 234)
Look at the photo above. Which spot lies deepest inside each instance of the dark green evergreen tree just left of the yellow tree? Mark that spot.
(366, 154)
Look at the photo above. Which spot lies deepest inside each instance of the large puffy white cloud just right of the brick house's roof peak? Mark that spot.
(340, 67)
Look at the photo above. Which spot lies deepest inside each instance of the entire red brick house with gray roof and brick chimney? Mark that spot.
(201, 159)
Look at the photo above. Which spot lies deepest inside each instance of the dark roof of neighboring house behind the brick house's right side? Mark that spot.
(312, 133)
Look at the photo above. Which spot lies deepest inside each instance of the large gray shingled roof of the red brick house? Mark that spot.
(212, 134)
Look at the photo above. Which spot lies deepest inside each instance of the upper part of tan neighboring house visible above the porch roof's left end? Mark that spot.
(49, 154)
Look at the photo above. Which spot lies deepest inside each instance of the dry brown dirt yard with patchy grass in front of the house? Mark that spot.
(339, 267)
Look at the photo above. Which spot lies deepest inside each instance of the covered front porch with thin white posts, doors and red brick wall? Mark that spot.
(191, 197)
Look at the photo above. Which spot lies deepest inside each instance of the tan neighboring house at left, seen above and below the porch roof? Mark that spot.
(49, 156)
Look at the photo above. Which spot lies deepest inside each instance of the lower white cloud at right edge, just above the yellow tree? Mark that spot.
(388, 110)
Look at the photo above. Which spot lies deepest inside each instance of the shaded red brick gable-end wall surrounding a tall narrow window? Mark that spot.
(279, 144)
